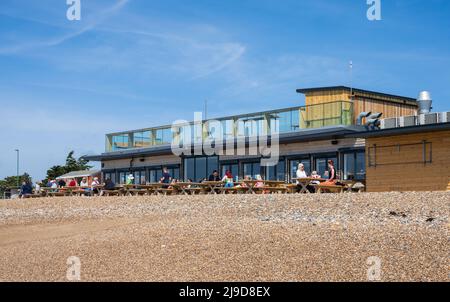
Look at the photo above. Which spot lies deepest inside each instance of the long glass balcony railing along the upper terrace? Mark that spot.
(239, 126)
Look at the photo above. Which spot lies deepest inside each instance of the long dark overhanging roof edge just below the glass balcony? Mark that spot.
(324, 133)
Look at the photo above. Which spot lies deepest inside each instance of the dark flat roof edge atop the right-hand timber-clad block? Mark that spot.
(401, 130)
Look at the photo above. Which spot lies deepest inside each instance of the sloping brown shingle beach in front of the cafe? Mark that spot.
(320, 237)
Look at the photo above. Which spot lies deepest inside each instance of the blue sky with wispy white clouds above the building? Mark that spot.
(139, 63)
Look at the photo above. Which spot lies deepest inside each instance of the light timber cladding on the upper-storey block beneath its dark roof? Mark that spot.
(365, 101)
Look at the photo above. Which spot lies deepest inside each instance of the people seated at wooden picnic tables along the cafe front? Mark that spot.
(167, 182)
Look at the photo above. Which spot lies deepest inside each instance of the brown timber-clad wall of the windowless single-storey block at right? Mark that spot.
(410, 162)
